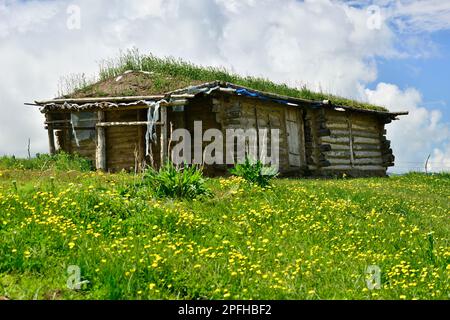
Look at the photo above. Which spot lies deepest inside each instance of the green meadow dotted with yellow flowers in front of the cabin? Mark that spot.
(299, 239)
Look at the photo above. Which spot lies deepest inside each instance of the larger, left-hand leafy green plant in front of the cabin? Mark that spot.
(169, 181)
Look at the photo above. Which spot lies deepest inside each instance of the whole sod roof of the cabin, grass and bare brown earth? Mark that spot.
(155, 75)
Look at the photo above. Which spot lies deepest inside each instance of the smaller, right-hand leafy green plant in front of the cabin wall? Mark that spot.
(255, 172)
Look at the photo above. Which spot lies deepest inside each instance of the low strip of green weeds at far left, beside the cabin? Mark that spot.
(61, 161)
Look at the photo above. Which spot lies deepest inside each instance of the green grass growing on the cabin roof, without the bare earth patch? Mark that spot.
(170, 74)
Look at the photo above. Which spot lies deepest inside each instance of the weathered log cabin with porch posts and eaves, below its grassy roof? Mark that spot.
(316, 138)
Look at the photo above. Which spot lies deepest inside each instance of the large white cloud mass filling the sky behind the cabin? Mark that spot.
(324, 44)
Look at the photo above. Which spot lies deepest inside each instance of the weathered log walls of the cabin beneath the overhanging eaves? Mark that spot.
(330, 142)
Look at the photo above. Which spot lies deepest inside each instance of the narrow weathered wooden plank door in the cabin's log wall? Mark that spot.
(293, 131)
